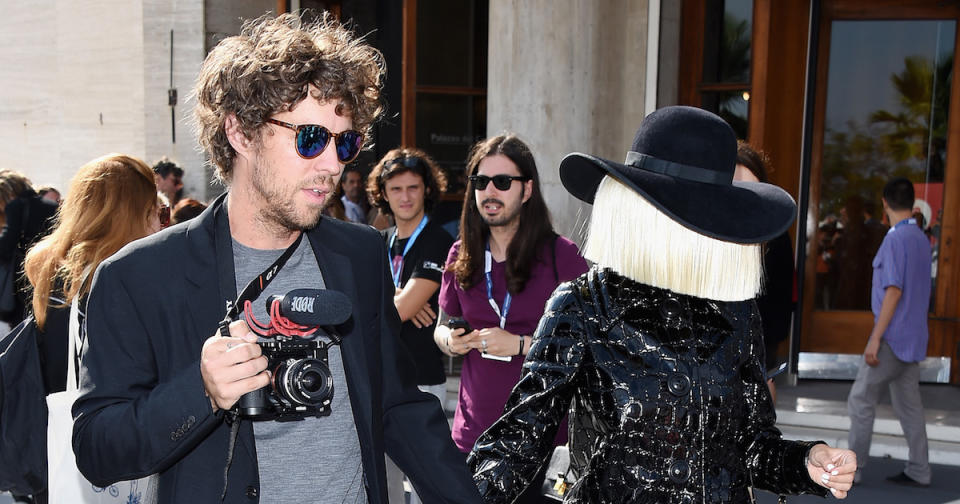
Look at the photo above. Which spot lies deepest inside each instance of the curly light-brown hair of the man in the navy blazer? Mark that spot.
(270, 67)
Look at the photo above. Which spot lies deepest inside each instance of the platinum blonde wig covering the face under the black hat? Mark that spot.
(632, 237)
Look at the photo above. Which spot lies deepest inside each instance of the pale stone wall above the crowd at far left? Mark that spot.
(82, 78)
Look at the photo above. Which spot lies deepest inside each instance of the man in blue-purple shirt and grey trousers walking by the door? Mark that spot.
(900, 297)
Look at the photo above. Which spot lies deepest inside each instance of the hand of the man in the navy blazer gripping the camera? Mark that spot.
(232, 366)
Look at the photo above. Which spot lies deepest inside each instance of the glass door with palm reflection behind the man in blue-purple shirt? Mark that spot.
(882, 109)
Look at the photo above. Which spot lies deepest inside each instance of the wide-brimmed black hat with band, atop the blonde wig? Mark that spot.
(682, 161)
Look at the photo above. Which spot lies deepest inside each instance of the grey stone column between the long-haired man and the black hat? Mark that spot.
(567, 75)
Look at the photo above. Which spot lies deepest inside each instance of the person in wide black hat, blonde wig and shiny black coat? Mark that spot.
(659, 346)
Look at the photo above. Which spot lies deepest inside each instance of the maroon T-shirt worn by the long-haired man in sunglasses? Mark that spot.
(485, 384)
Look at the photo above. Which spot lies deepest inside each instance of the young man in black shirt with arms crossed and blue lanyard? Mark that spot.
(407, 184)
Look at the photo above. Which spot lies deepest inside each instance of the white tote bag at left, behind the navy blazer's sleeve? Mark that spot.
(65, 483)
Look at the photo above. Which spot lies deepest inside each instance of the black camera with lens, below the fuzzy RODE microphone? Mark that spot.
(301, 386)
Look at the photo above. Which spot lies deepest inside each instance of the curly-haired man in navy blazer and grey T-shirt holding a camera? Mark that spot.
(281, 109)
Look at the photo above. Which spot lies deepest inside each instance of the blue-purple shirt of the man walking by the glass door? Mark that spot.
(903, 261)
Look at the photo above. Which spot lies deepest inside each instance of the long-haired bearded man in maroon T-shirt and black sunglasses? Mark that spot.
(498, 276)
